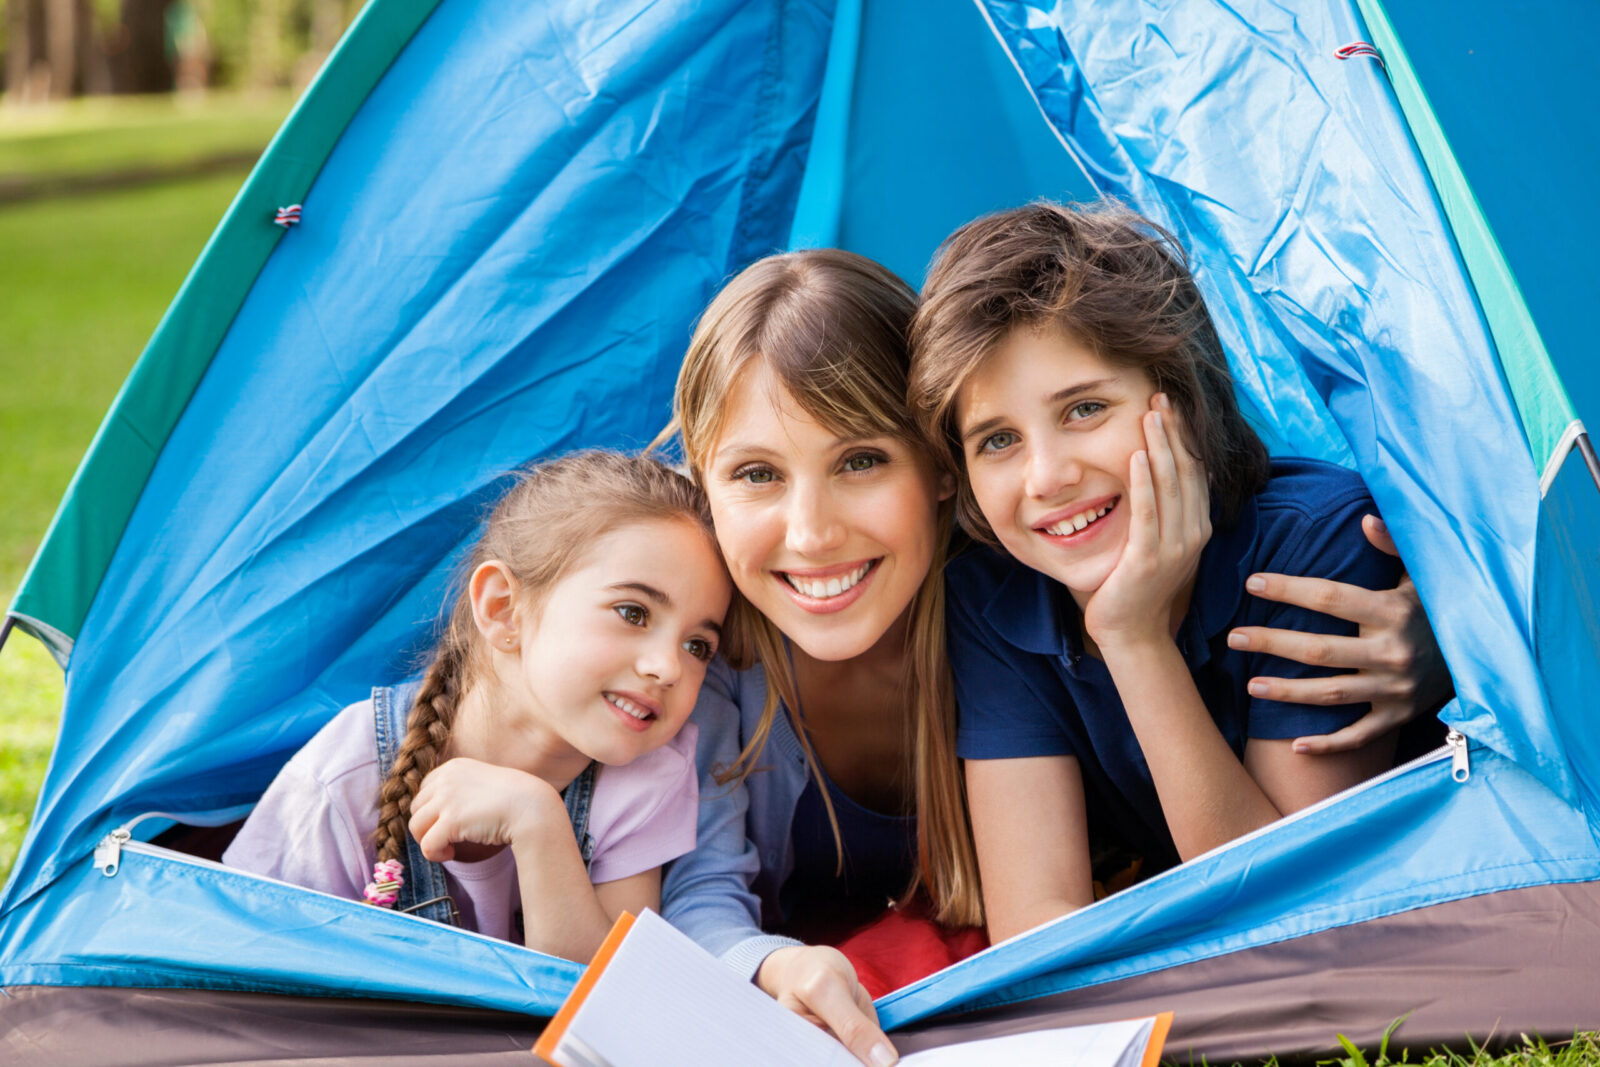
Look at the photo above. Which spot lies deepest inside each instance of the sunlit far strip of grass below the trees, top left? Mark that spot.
(100, 135)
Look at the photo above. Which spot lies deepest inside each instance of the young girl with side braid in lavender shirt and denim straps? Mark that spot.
(551, 721)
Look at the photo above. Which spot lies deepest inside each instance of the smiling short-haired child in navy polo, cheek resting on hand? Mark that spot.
(1070, 366)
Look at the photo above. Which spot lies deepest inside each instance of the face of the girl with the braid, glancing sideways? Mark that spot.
(615, 653)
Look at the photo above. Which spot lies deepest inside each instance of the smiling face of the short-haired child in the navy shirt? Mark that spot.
(1047, 431)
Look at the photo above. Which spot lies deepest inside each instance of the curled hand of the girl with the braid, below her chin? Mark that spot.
(468, 801)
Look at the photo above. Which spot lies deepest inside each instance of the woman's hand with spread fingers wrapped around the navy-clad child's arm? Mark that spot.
(1394, 660)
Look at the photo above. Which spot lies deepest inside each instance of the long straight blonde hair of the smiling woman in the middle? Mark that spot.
(831, 327)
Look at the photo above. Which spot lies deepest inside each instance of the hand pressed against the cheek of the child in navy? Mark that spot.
(1169, 524)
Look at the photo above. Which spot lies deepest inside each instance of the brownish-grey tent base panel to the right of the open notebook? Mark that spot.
(1442, 969)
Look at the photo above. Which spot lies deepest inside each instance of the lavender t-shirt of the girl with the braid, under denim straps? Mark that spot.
(314, 826)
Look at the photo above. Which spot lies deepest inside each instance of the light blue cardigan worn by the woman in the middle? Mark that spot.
(721, 893)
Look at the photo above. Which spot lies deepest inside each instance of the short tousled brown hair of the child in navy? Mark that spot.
(1105, 276)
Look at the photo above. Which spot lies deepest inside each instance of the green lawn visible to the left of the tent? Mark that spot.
(82, 284)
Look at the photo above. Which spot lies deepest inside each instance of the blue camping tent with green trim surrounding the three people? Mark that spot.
(511, 217)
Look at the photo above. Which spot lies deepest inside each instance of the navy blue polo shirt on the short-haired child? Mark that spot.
(1026, 689)
